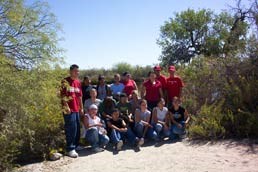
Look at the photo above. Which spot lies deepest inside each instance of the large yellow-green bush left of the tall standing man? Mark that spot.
(31, 122)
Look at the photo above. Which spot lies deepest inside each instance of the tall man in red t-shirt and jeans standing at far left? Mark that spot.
(71, 95)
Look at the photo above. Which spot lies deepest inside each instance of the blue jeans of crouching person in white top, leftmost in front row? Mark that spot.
(96, 139)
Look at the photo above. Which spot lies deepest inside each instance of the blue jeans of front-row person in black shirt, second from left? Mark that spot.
(116, 136)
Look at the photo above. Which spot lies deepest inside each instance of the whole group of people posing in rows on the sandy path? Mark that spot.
(121, 113)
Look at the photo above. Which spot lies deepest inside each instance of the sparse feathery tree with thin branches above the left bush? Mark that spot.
(28, 34)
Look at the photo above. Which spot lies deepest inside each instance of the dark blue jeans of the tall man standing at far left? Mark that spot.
(72, 130)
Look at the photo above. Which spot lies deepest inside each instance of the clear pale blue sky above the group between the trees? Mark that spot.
(102, 33)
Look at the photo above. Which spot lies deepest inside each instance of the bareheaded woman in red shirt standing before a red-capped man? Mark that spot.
(152, 91)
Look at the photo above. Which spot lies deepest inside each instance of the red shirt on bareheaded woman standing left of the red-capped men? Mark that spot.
(152, 90)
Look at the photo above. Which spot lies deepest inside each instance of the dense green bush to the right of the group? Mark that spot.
(234, 82)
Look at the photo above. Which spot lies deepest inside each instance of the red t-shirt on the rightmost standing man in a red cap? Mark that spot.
(173, 86)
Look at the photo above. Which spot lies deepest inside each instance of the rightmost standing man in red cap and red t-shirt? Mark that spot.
(174, 85)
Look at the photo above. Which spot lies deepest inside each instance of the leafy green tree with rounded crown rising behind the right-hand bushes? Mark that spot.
(191, 33)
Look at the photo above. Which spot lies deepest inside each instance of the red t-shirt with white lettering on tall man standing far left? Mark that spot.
(73, 92)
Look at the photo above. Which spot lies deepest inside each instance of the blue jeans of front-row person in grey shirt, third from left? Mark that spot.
(139, 129)
